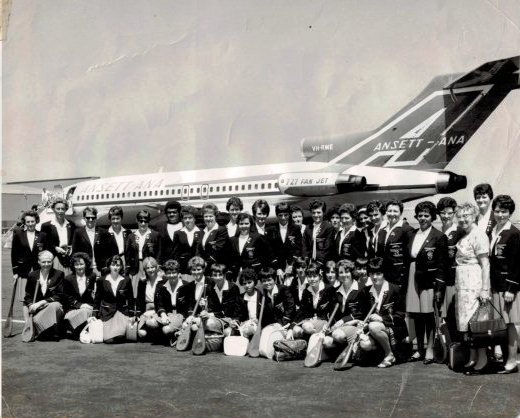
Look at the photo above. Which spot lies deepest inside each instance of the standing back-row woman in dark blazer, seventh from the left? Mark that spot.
(187, 240)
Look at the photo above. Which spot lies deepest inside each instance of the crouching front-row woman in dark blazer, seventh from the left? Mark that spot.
(223, 302)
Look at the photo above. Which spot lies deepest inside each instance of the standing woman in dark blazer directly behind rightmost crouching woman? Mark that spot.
(393, 245)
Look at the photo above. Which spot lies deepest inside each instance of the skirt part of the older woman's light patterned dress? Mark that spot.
(468, 284)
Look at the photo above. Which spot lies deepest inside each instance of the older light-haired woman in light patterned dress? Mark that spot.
(471, 278)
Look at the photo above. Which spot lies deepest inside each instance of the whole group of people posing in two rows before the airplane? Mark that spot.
(350, 262)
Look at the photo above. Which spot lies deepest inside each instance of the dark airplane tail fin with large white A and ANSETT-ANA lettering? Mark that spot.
(429, 131)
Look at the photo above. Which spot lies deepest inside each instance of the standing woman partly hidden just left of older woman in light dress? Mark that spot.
(446, 210)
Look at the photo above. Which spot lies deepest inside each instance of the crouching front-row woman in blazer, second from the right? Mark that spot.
(350, 312)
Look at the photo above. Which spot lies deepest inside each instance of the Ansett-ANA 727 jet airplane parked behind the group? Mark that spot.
(406, 158)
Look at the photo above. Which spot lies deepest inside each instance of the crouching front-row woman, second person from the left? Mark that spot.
(78, 293)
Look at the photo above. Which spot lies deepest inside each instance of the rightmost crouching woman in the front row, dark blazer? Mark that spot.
(386, 327)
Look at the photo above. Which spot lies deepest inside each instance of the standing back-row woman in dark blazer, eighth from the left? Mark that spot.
(215, 240)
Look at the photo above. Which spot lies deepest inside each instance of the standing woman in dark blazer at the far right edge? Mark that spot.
(505, 274)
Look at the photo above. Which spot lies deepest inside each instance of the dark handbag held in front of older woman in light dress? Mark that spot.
(488, 332)
